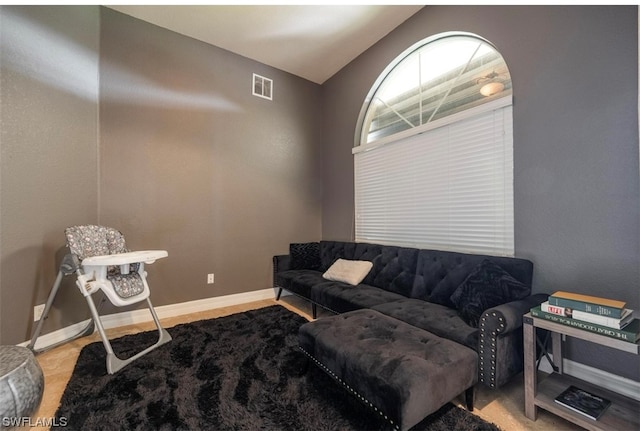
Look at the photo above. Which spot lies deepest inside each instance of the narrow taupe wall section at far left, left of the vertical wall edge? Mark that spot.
(48, 154)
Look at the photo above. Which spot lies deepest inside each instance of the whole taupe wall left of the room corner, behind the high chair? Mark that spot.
(176, 153)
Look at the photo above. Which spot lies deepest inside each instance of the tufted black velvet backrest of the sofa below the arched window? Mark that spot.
(430, 275)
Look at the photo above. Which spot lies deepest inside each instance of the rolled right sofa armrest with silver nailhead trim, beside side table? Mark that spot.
(500, 346)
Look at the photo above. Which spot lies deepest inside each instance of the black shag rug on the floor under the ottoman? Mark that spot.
(240, 372)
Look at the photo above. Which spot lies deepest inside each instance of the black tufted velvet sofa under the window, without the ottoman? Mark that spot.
(474, 300)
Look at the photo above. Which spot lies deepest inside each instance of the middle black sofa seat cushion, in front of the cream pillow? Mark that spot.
(341, 297)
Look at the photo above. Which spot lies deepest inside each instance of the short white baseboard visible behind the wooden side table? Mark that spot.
(613, 382)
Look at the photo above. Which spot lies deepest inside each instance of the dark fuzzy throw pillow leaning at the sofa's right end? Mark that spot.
(488, 285)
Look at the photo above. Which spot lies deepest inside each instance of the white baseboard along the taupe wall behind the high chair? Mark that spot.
(143, 315)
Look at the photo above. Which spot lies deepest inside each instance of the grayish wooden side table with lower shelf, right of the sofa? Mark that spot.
(622, 414)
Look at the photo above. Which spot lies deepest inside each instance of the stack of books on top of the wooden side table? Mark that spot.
(603, 316)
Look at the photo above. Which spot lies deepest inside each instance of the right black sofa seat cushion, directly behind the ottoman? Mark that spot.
(437, 319)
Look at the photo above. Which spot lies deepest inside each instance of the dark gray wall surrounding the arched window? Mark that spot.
(576, 174)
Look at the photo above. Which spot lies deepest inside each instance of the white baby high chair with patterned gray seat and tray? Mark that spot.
(101, 261)
